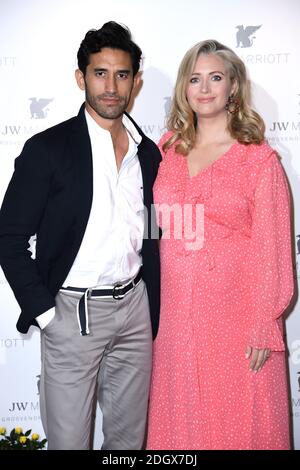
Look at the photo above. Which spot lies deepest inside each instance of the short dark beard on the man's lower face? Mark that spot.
(108, 111)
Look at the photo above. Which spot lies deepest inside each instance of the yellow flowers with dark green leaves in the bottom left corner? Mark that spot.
(18, 440)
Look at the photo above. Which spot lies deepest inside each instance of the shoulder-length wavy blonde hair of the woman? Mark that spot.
(246, 126)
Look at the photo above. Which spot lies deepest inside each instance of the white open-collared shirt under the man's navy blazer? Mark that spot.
(111, 246)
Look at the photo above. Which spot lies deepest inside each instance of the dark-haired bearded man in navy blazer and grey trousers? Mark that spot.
(82, 186)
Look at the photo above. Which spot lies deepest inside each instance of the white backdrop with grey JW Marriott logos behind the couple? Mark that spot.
(39, 40)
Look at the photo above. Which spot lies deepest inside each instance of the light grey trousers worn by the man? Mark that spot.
(111, 365)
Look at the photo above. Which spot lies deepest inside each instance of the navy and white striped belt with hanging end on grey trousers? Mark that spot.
(117, 292)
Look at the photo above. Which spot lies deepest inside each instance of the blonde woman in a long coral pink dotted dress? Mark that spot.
(219, 374)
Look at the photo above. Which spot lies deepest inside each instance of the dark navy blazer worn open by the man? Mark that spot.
(50, 194)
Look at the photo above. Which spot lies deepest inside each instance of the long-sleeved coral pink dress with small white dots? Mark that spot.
(218, 299)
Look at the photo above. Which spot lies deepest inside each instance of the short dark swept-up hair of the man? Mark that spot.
(112, 35)
